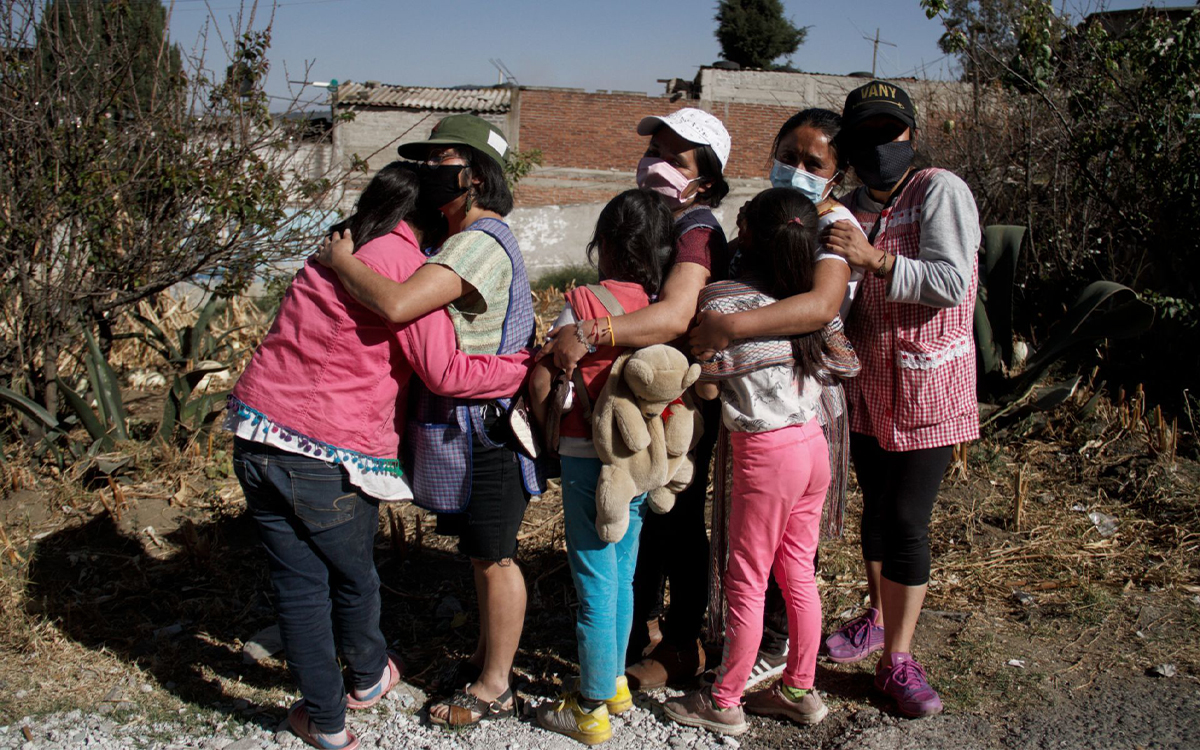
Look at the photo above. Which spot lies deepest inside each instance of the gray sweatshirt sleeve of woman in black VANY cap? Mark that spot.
(950, 241)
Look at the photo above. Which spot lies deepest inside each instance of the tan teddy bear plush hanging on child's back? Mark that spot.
(644, 427)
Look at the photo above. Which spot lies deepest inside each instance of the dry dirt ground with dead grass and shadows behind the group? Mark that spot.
(133, 590)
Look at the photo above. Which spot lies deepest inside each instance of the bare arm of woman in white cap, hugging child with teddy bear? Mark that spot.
(659, 323)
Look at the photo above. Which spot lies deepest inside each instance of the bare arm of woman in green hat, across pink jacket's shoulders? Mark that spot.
(428, 290)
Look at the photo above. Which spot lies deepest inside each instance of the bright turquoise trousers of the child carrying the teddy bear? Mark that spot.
(604, 579)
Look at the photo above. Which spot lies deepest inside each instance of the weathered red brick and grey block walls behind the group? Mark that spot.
(591, 146)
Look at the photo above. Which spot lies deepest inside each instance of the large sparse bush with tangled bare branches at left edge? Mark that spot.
(121, 177)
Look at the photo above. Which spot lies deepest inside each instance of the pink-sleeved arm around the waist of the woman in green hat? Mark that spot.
(431, 349)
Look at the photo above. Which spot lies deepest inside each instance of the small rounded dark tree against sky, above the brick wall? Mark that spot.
(755, 33)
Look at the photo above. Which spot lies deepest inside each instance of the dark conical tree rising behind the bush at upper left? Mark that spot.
(124, 44)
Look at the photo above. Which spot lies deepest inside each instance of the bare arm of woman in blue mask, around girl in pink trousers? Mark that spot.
(797, 315)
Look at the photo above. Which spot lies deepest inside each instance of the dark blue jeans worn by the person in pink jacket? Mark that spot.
(319, 531)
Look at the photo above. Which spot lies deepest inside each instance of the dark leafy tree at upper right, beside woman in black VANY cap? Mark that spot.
(1090, 136)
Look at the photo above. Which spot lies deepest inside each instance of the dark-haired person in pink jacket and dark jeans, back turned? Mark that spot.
(317, 419)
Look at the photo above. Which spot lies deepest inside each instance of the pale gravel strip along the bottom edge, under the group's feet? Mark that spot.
(1135, 712)
